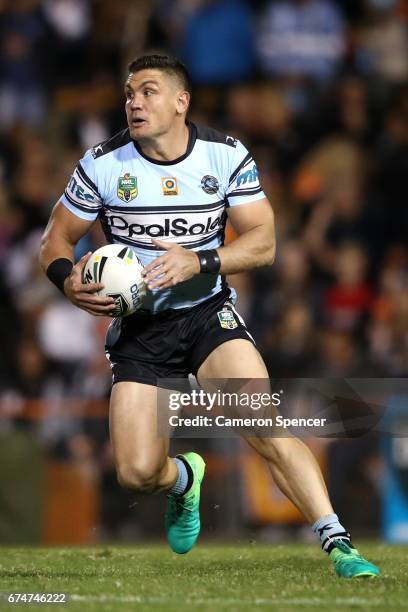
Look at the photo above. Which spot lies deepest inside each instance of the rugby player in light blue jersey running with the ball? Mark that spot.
(164, 187)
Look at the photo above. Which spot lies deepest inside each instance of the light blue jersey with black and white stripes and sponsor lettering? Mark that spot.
(137, 198)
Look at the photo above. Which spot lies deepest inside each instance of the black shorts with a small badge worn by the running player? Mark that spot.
(144, 347)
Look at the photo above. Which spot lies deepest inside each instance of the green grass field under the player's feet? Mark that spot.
(241, 577)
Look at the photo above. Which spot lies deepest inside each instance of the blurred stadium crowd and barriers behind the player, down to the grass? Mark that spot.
(318, 91)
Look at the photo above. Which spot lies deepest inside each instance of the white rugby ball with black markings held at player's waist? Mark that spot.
(119, 269)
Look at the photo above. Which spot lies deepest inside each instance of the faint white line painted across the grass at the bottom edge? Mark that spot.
(347, 601)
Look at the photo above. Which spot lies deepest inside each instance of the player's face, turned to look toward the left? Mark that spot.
(153, 100)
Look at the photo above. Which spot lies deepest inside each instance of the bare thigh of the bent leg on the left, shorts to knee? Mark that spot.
(133, 426)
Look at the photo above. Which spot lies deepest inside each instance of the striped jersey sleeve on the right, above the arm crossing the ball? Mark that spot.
(243, 184)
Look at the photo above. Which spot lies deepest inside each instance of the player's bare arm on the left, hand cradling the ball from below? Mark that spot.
(62, 233)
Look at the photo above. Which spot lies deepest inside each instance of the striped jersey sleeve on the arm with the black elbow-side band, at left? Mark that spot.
(81, 195)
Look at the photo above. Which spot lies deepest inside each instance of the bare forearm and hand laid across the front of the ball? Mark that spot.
(254, 247)
